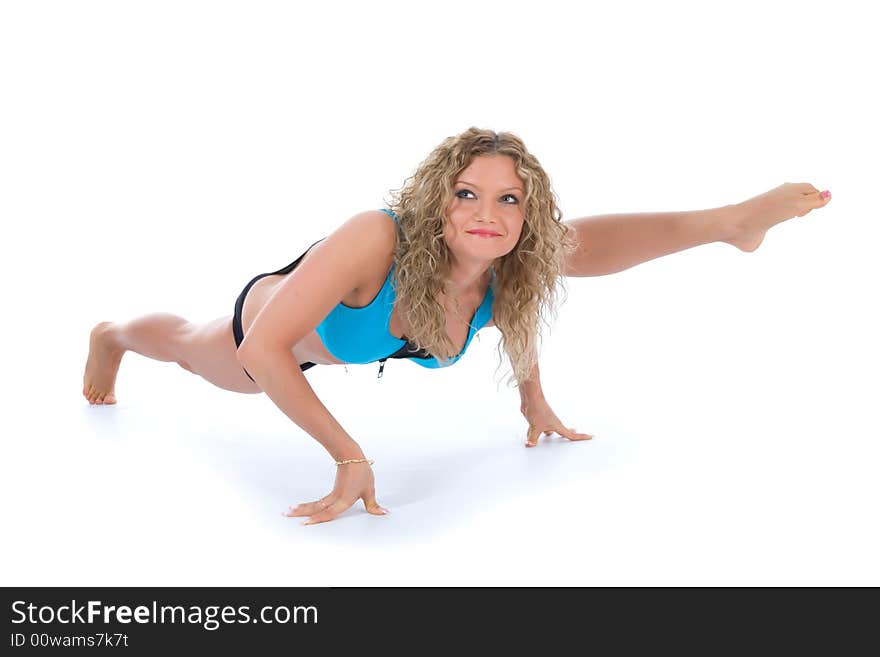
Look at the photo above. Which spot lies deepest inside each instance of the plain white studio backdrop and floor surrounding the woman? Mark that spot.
(157, 155)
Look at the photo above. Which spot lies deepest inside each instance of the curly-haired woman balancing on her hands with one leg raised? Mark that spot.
(473, 239)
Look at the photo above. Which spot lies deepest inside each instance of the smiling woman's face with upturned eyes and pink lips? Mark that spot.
(487, 196)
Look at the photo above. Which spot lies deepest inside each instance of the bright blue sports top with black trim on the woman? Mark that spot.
(361, 335)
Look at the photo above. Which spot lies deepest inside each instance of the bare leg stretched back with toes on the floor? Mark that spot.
(204, 349)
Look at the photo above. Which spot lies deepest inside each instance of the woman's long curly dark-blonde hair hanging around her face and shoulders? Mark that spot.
(527, 279)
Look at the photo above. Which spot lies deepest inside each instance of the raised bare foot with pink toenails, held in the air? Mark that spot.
(762, 212)
